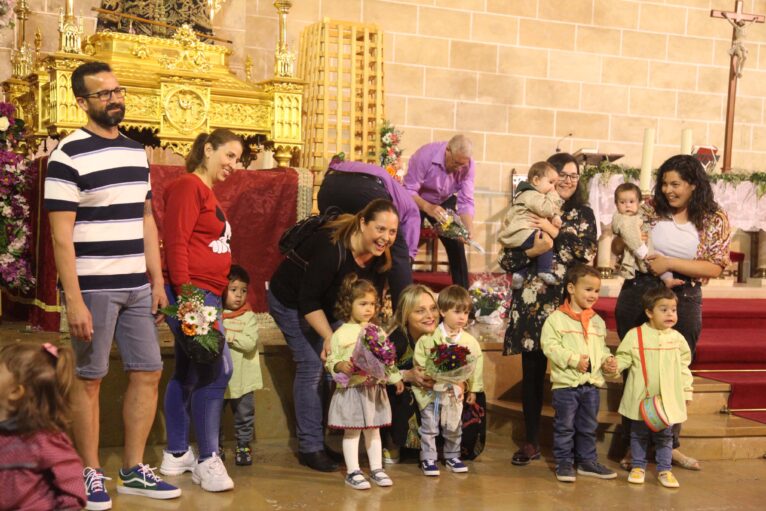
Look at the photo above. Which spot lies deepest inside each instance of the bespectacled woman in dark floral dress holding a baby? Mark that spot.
(574, 242)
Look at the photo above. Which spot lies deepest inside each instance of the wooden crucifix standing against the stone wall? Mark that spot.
(738, 52)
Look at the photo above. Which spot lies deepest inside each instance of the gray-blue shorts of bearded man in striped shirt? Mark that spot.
(125, 316)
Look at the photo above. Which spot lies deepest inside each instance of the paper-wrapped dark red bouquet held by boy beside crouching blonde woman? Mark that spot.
(450, 365)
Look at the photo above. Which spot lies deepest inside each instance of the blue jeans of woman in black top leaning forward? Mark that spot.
(306, 346)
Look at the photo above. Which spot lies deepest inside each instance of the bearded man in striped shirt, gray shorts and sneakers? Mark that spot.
(98, 196)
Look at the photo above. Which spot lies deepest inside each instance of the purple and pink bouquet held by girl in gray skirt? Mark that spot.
(373, 355)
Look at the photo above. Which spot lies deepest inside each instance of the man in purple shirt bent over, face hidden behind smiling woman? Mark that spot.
(350, 186)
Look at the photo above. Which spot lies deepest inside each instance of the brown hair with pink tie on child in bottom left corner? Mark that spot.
(46, 373)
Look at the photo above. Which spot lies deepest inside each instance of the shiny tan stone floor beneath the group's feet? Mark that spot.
(276, 482)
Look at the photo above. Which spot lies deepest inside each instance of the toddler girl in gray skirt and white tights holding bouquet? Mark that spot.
(360, 402)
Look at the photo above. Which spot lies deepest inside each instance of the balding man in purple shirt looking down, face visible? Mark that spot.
(440, 176)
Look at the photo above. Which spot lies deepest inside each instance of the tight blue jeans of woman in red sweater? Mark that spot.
(195, 393)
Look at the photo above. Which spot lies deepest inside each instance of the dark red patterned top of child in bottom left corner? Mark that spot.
(39, 472)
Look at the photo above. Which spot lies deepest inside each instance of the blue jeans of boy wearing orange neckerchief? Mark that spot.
(575, 423)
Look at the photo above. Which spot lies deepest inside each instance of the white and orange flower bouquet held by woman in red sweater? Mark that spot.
(201, 340)
